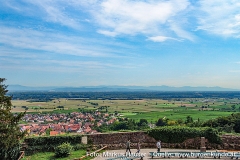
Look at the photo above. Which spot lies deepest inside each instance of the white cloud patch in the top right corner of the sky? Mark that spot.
(220, 17)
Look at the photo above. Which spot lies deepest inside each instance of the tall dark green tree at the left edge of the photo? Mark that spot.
(10, 133)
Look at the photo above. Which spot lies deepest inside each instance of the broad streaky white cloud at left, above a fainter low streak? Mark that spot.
(49, 42)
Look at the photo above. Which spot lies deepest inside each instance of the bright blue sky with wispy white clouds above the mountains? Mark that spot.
(120, 42)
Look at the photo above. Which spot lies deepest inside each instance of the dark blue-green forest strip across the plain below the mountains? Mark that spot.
(47, 96)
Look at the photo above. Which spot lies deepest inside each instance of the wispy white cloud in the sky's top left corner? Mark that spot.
(47, 10)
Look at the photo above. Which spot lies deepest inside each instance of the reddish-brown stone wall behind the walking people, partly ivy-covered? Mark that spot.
(118, 141)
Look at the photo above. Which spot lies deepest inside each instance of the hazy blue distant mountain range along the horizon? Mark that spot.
(13, 88)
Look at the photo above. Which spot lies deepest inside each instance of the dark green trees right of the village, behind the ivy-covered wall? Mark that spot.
(228, 124)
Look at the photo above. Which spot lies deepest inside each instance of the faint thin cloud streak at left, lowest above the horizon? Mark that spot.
(52, 65)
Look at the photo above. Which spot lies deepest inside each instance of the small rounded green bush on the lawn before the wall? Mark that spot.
(63, 150)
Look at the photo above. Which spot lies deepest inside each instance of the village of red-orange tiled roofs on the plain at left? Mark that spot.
(55, 124)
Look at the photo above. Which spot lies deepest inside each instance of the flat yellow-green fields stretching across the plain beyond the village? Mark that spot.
(150, 109)
